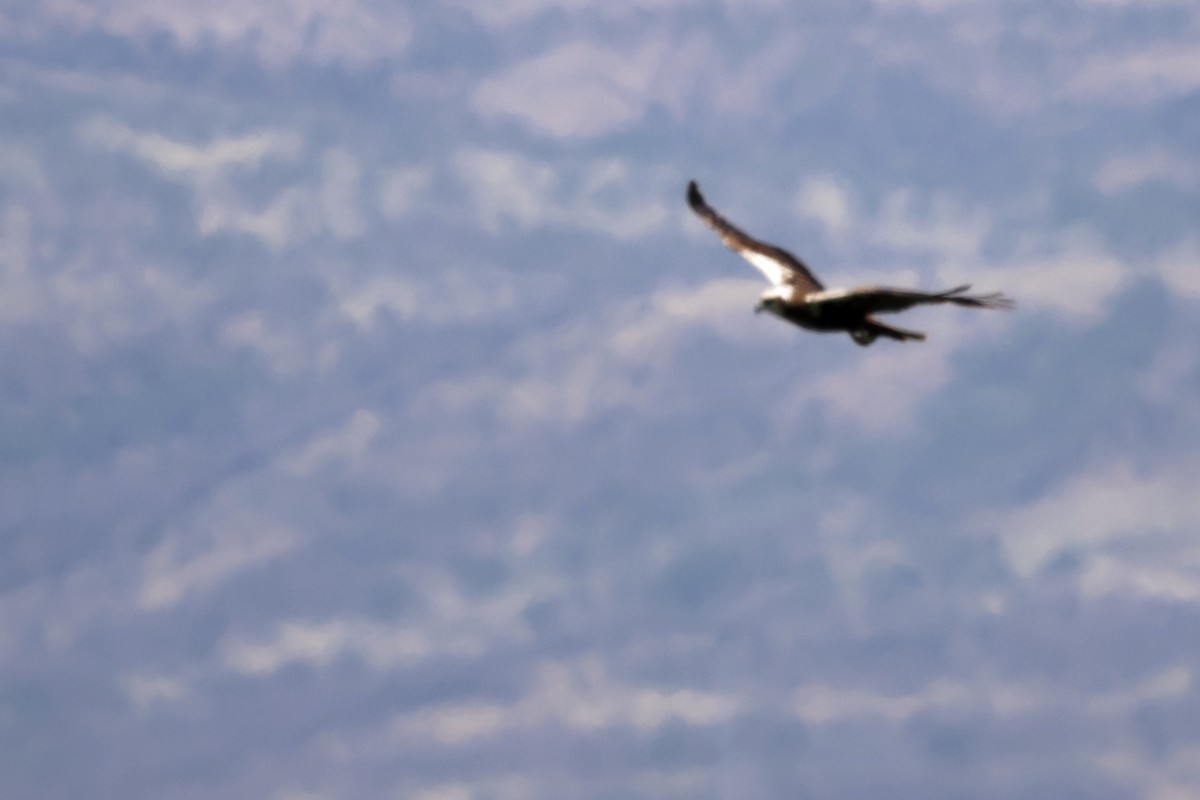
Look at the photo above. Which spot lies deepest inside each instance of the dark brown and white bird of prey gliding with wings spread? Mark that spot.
(797, 297)
